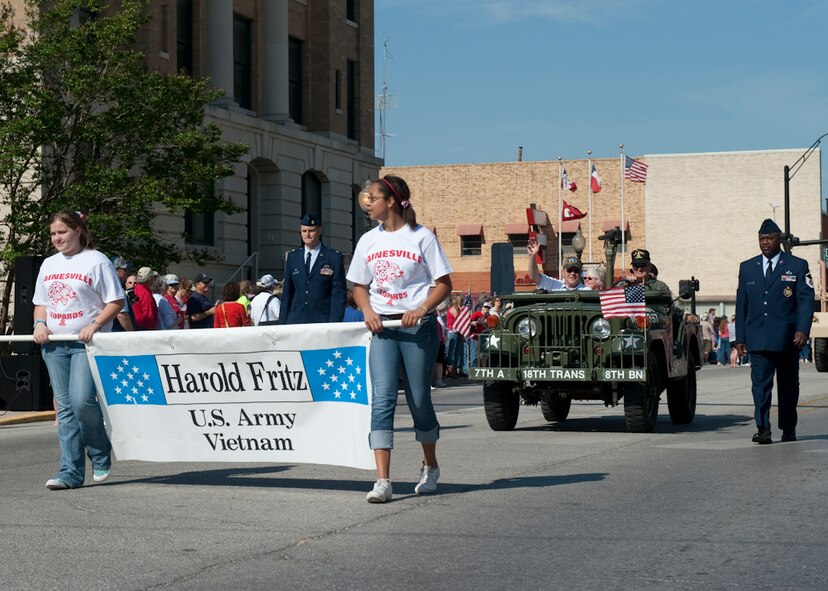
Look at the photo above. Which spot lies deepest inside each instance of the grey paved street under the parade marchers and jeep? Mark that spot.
(579, 505)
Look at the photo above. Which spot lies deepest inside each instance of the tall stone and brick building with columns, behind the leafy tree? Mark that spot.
(298, 82)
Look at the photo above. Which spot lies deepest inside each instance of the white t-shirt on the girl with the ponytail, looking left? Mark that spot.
(399, 266)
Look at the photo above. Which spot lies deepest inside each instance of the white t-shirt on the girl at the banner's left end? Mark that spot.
(75, 289)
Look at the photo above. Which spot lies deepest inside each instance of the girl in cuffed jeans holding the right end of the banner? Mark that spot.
(393, 269)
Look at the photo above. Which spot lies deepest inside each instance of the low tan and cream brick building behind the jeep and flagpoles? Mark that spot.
(697, 214)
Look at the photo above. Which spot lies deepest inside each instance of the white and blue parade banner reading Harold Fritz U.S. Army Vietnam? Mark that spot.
(285, 393)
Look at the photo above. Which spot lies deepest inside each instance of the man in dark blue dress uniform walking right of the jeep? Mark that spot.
(774, 309)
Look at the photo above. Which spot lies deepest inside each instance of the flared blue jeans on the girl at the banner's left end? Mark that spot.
(80, 421)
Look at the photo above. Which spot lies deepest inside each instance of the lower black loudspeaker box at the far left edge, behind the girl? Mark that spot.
(24, 383)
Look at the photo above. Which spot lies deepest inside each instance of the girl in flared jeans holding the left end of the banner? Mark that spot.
(77, 292)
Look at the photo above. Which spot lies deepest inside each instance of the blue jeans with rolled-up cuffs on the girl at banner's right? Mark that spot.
(413, 350)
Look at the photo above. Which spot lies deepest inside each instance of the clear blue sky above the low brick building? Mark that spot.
(475, 79)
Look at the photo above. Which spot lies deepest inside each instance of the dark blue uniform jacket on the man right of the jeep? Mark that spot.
(769, 312)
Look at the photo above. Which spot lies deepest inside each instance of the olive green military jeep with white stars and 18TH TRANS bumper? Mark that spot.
(553, 348)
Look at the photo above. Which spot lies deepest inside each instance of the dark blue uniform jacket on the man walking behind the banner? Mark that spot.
(315, 297)
